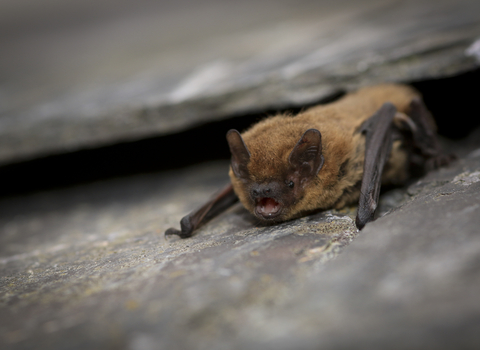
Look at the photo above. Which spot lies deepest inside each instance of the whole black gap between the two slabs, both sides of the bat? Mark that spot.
(451, 101)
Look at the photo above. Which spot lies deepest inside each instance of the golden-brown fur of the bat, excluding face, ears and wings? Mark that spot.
(271, 141)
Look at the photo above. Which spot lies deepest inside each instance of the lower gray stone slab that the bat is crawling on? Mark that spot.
(89, 267)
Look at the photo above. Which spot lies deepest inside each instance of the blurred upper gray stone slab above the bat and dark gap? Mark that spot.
(77, 75)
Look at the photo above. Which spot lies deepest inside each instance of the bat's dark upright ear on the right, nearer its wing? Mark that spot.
(306, 157)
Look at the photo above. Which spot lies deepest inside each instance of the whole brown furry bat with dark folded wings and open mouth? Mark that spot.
(328, 156)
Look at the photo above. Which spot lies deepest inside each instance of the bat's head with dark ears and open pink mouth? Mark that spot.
(268, 185)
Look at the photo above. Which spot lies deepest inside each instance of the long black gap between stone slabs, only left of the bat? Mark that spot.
(203, 143)
